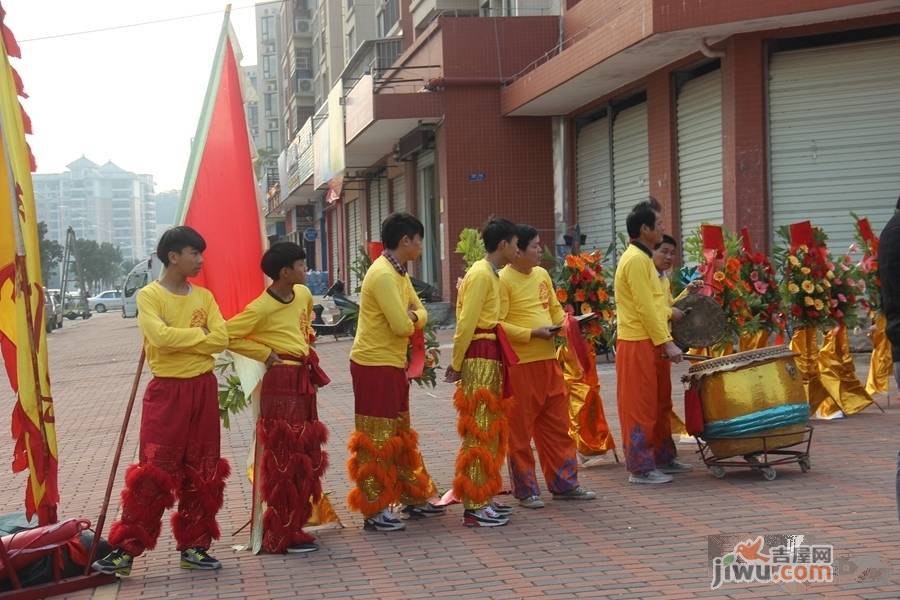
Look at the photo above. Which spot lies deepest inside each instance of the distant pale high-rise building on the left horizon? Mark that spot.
(100, 202)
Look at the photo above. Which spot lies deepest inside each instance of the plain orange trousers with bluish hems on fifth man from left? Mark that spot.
(540, 411)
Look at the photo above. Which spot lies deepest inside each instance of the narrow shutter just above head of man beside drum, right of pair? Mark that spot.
(631, 162)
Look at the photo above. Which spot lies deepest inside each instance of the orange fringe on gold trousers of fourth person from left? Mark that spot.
(476, 452)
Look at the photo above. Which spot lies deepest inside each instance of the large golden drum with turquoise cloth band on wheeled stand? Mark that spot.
(749, 395)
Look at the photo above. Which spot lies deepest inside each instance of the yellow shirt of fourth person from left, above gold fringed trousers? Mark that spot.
(477, 307)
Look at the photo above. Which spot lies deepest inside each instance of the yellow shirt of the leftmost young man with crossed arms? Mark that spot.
(174, 340)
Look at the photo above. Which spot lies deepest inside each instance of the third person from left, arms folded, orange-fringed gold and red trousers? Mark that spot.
(385, 463)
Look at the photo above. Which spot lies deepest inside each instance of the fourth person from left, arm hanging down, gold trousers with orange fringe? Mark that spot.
(483, 397)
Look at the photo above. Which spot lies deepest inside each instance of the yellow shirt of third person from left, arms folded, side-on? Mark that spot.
(384, 327)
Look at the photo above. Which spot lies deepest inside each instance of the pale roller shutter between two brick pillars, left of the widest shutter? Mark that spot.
(699, 117)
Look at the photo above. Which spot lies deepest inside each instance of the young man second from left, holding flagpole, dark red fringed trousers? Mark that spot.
(289, 462)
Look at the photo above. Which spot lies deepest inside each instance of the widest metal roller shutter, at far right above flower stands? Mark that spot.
(834, 118)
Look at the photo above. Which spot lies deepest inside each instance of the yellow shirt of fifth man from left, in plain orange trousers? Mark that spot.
(529, 302)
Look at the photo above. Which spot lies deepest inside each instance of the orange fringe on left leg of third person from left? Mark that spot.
(367, 461)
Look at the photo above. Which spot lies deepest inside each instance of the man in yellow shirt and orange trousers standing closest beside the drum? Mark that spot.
(642, 336)
